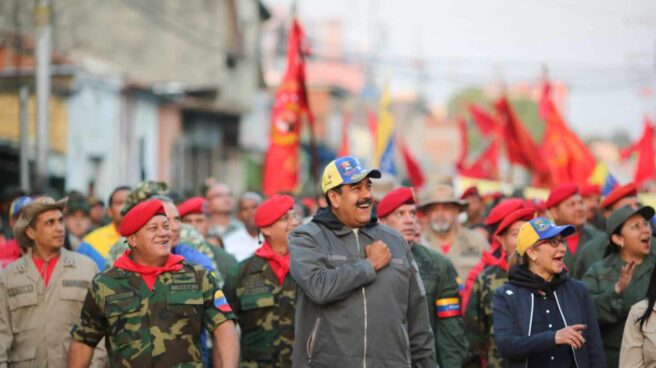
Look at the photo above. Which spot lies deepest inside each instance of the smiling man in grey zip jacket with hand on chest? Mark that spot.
(361, 302)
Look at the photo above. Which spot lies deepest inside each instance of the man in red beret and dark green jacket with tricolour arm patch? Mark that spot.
(398, 210)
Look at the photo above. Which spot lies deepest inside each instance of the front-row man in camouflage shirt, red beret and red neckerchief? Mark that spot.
(152, 305)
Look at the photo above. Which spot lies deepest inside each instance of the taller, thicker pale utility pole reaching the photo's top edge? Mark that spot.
(42, 55)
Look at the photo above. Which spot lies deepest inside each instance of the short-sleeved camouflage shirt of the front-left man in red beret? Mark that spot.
(161, 328)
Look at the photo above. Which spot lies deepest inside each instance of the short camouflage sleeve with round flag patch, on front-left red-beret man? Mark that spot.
(216, 306)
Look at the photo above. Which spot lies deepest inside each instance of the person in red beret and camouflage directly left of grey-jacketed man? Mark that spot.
(263, 294)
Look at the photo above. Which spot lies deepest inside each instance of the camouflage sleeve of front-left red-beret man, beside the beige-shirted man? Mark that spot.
(93, 325)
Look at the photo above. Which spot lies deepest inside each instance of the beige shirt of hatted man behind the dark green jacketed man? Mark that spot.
(465, 252)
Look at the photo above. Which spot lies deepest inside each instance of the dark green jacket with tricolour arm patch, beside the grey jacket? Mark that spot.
(440, 281)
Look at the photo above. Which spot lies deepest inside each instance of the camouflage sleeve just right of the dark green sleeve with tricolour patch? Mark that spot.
(475, 330)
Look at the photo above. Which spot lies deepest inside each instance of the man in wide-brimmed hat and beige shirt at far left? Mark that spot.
(42, 293)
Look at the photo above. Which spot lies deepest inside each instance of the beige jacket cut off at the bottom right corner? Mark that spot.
(639, 347)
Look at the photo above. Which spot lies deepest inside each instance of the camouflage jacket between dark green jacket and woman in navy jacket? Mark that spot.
(478, 319)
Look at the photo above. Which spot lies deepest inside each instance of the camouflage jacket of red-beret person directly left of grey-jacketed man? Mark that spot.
(265, 310)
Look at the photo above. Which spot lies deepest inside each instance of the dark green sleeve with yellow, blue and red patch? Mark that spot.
(449, 327)
